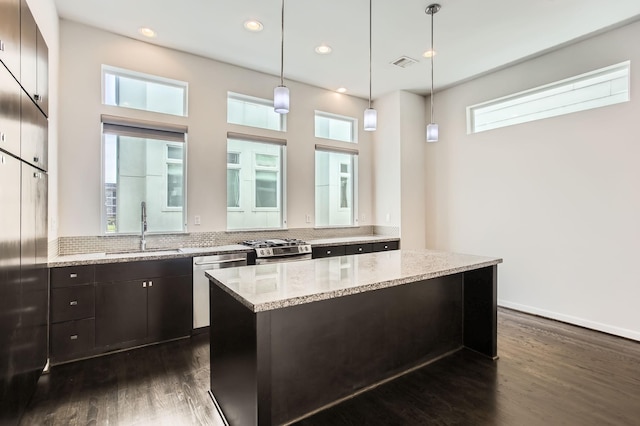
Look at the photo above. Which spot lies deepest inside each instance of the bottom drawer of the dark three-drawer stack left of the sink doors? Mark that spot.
(72, 339)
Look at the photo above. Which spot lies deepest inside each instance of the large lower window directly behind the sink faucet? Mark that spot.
(143, 162)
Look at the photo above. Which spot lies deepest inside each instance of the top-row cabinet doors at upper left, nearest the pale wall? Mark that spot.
(34, 55)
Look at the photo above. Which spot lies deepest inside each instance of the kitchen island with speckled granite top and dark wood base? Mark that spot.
(289, 339)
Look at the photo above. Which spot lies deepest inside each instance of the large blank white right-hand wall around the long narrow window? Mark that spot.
(558, 199)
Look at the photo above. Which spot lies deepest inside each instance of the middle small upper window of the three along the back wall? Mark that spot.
(255, 112)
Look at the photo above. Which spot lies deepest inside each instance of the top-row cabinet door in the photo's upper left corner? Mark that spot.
(10, 35)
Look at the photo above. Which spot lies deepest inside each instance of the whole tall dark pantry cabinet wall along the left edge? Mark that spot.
(23, 207)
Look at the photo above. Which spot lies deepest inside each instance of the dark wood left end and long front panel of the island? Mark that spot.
(273, 367)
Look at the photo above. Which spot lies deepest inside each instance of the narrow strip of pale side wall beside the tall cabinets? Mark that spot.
(46, 16)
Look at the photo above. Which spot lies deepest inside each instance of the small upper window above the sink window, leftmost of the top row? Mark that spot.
(130, 89)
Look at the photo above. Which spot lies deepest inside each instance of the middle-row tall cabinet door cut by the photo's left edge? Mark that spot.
(9, 113)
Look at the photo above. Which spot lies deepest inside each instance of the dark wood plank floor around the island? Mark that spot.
(548, 373)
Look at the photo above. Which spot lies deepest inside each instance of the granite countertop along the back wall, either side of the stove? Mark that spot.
(155, 254)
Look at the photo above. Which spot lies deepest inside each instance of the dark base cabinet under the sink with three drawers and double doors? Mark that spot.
(100, 308)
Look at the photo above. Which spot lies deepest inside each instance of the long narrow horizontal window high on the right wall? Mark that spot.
(606, 86)
